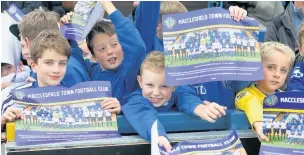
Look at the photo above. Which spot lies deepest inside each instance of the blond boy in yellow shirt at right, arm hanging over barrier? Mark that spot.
(277, 60)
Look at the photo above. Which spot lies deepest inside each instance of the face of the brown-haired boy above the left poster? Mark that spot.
(50, 68)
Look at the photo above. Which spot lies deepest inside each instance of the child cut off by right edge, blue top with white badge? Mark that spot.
(296, 82)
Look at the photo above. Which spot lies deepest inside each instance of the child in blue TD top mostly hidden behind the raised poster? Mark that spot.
(148, 21)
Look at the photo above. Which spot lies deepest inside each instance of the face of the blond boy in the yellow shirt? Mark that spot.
(276, 67)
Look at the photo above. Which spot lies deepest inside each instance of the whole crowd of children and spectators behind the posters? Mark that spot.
(129, 52)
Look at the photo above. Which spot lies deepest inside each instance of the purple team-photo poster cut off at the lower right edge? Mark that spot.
(283, 123)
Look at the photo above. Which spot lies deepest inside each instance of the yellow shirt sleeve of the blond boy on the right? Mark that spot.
(250, 104)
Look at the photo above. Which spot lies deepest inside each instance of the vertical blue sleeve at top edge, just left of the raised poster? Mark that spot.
(146, 21)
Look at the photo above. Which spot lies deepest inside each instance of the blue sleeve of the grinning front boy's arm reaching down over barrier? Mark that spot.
(141, 115)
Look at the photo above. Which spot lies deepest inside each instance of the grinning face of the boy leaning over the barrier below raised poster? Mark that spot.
(154, 88)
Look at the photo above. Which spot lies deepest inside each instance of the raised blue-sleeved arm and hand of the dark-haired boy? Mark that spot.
(131, 43)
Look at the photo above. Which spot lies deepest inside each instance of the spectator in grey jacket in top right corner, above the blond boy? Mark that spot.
(284, 28)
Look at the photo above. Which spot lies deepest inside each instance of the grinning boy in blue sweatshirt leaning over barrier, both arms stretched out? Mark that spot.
(142, 106)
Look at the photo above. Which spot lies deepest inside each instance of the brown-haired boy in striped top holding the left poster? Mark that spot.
(50, 52)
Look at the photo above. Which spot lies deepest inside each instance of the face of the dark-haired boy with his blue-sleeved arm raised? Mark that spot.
(107, 50)
